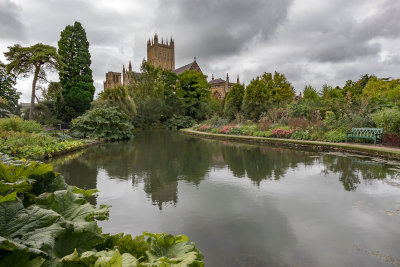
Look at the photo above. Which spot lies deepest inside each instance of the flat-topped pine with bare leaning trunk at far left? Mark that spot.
(34, 59)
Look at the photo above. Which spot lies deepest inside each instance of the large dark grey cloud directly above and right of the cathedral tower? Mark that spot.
(220, 28)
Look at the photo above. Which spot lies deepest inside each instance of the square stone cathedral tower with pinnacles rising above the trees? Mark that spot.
(161, 54)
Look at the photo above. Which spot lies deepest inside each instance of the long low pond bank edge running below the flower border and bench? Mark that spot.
(364, 149)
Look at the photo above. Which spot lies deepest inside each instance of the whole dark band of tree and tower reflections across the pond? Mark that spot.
(159, 159)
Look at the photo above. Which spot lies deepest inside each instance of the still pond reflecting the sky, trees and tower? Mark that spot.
(247, 205)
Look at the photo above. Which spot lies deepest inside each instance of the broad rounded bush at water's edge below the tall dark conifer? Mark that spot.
(109, 124)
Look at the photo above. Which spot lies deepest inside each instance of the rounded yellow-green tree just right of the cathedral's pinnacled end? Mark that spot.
(265, 91)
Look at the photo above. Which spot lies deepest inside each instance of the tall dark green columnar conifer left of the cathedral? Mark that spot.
(76, 77)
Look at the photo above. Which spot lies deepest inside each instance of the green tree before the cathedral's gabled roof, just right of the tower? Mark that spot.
(193, 90)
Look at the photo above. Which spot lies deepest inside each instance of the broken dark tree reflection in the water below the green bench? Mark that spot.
(352, 171)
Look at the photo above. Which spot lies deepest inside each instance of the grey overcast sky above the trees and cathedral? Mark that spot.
(310, 41)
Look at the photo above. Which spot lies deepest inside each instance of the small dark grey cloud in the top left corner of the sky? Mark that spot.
(10, 21)
